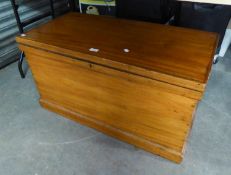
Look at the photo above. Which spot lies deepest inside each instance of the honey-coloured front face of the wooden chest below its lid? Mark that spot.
(147, 110)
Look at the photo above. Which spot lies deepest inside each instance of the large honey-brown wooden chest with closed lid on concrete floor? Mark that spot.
(139, 82)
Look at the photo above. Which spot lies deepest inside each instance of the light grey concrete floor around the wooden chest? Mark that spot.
(34, 141)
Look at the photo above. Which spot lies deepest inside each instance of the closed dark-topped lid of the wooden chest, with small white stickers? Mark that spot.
(175, 55)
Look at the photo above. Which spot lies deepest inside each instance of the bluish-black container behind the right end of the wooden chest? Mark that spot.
(208, 17)
